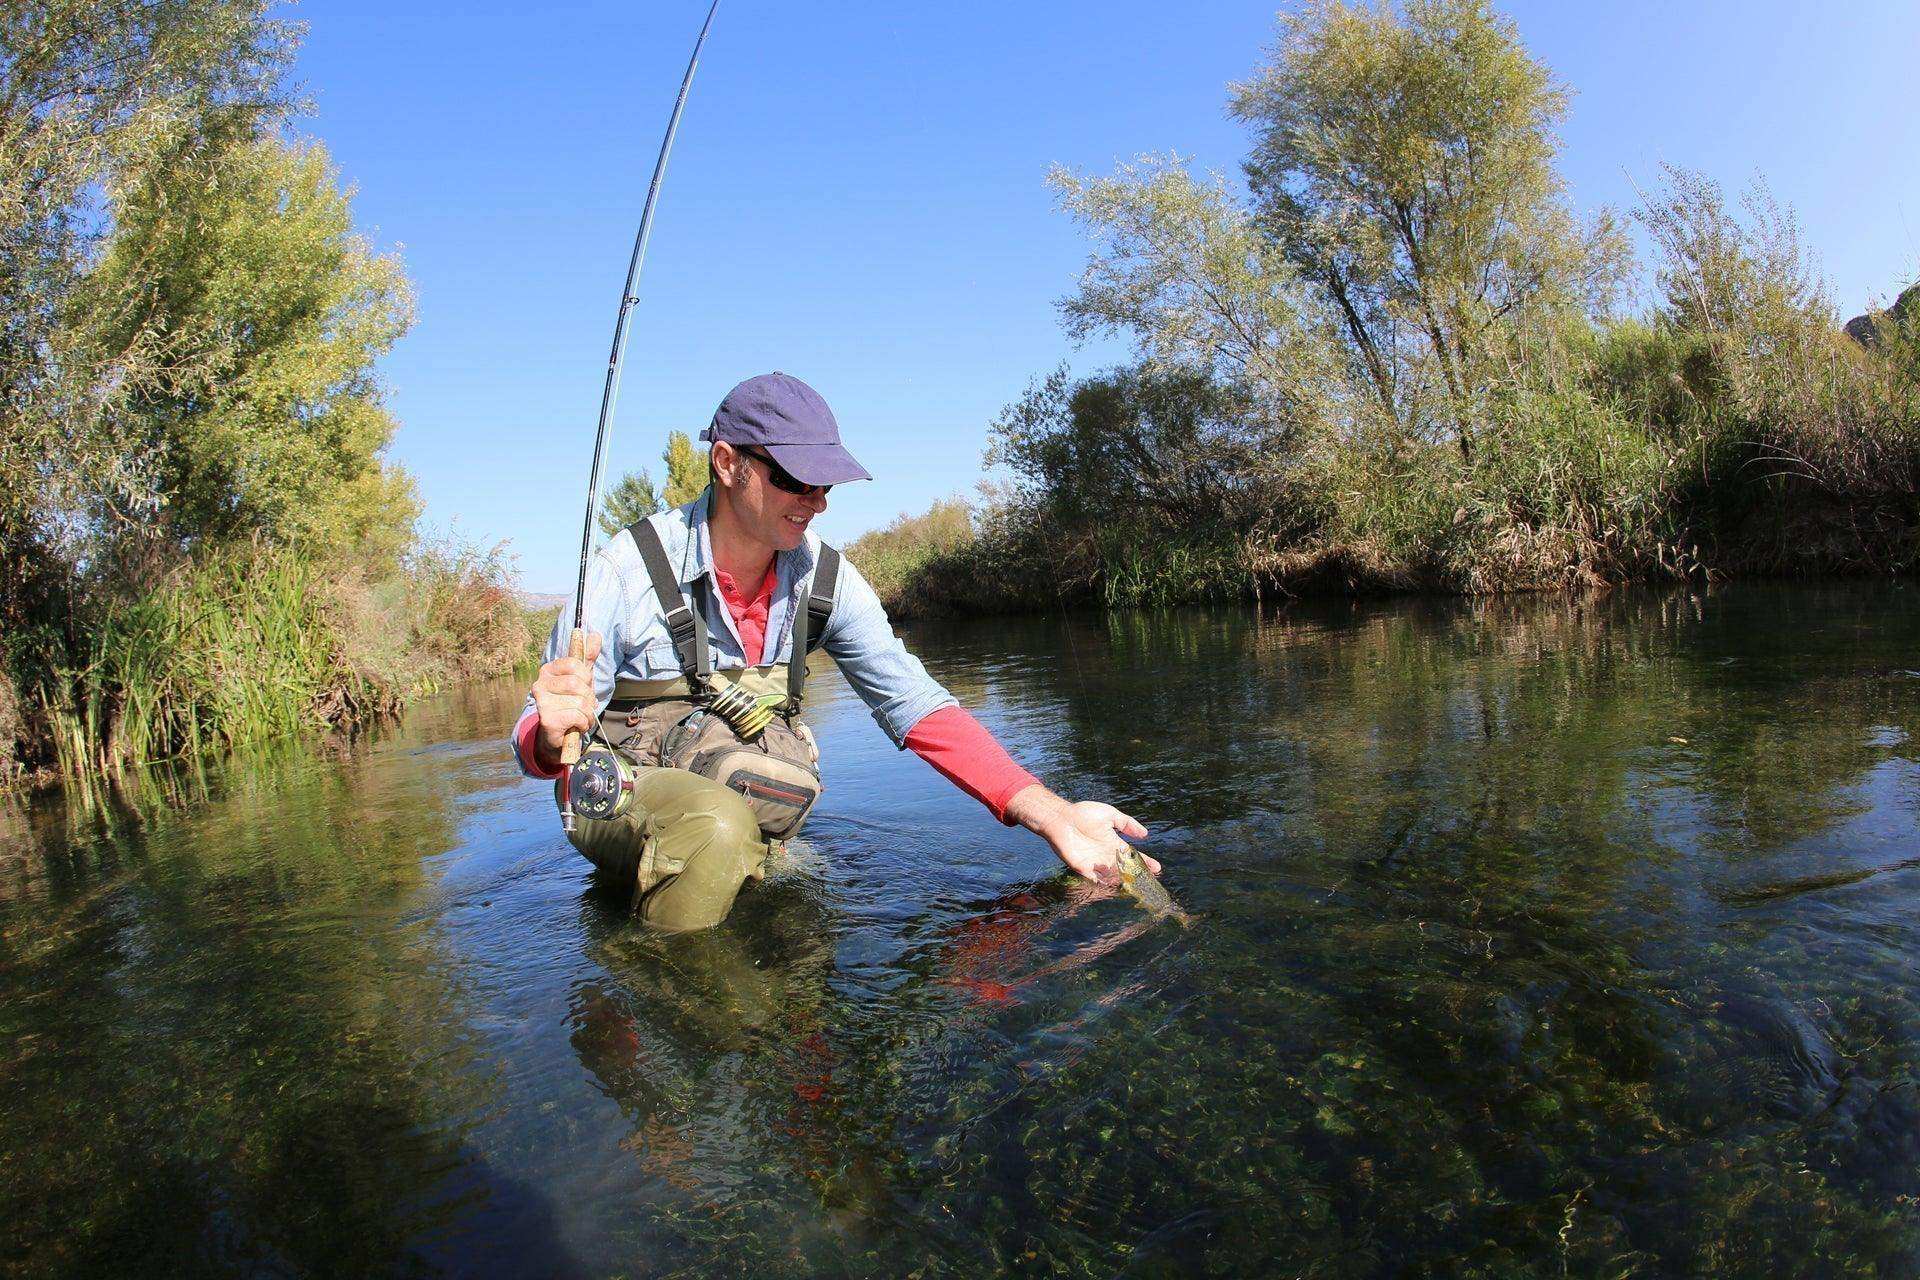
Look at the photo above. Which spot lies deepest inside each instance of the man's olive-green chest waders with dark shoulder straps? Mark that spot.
(706, 803)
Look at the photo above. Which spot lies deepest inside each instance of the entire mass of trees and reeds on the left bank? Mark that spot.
(201, 538)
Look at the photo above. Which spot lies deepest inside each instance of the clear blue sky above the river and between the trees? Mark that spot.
(857, 199)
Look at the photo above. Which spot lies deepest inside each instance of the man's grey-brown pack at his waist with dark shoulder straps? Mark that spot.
(736, 726)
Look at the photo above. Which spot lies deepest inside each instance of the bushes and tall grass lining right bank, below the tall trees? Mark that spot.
(1621, 452)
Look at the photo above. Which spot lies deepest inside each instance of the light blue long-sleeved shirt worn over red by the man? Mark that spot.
(635, 642)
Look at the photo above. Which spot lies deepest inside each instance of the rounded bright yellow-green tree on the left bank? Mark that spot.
(233, 327)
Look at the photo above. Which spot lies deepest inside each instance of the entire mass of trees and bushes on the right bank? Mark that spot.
(1395, 364)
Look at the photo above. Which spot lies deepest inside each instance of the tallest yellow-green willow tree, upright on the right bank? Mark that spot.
(1404, 162)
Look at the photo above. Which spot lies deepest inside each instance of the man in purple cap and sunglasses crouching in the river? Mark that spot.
(688, 843)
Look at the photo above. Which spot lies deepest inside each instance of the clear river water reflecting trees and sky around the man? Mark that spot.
(1535, 939)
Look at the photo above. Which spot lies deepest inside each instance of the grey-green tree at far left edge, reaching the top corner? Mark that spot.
(91, 97)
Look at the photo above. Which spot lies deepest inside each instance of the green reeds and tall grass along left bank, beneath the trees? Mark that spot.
(252, 644)
